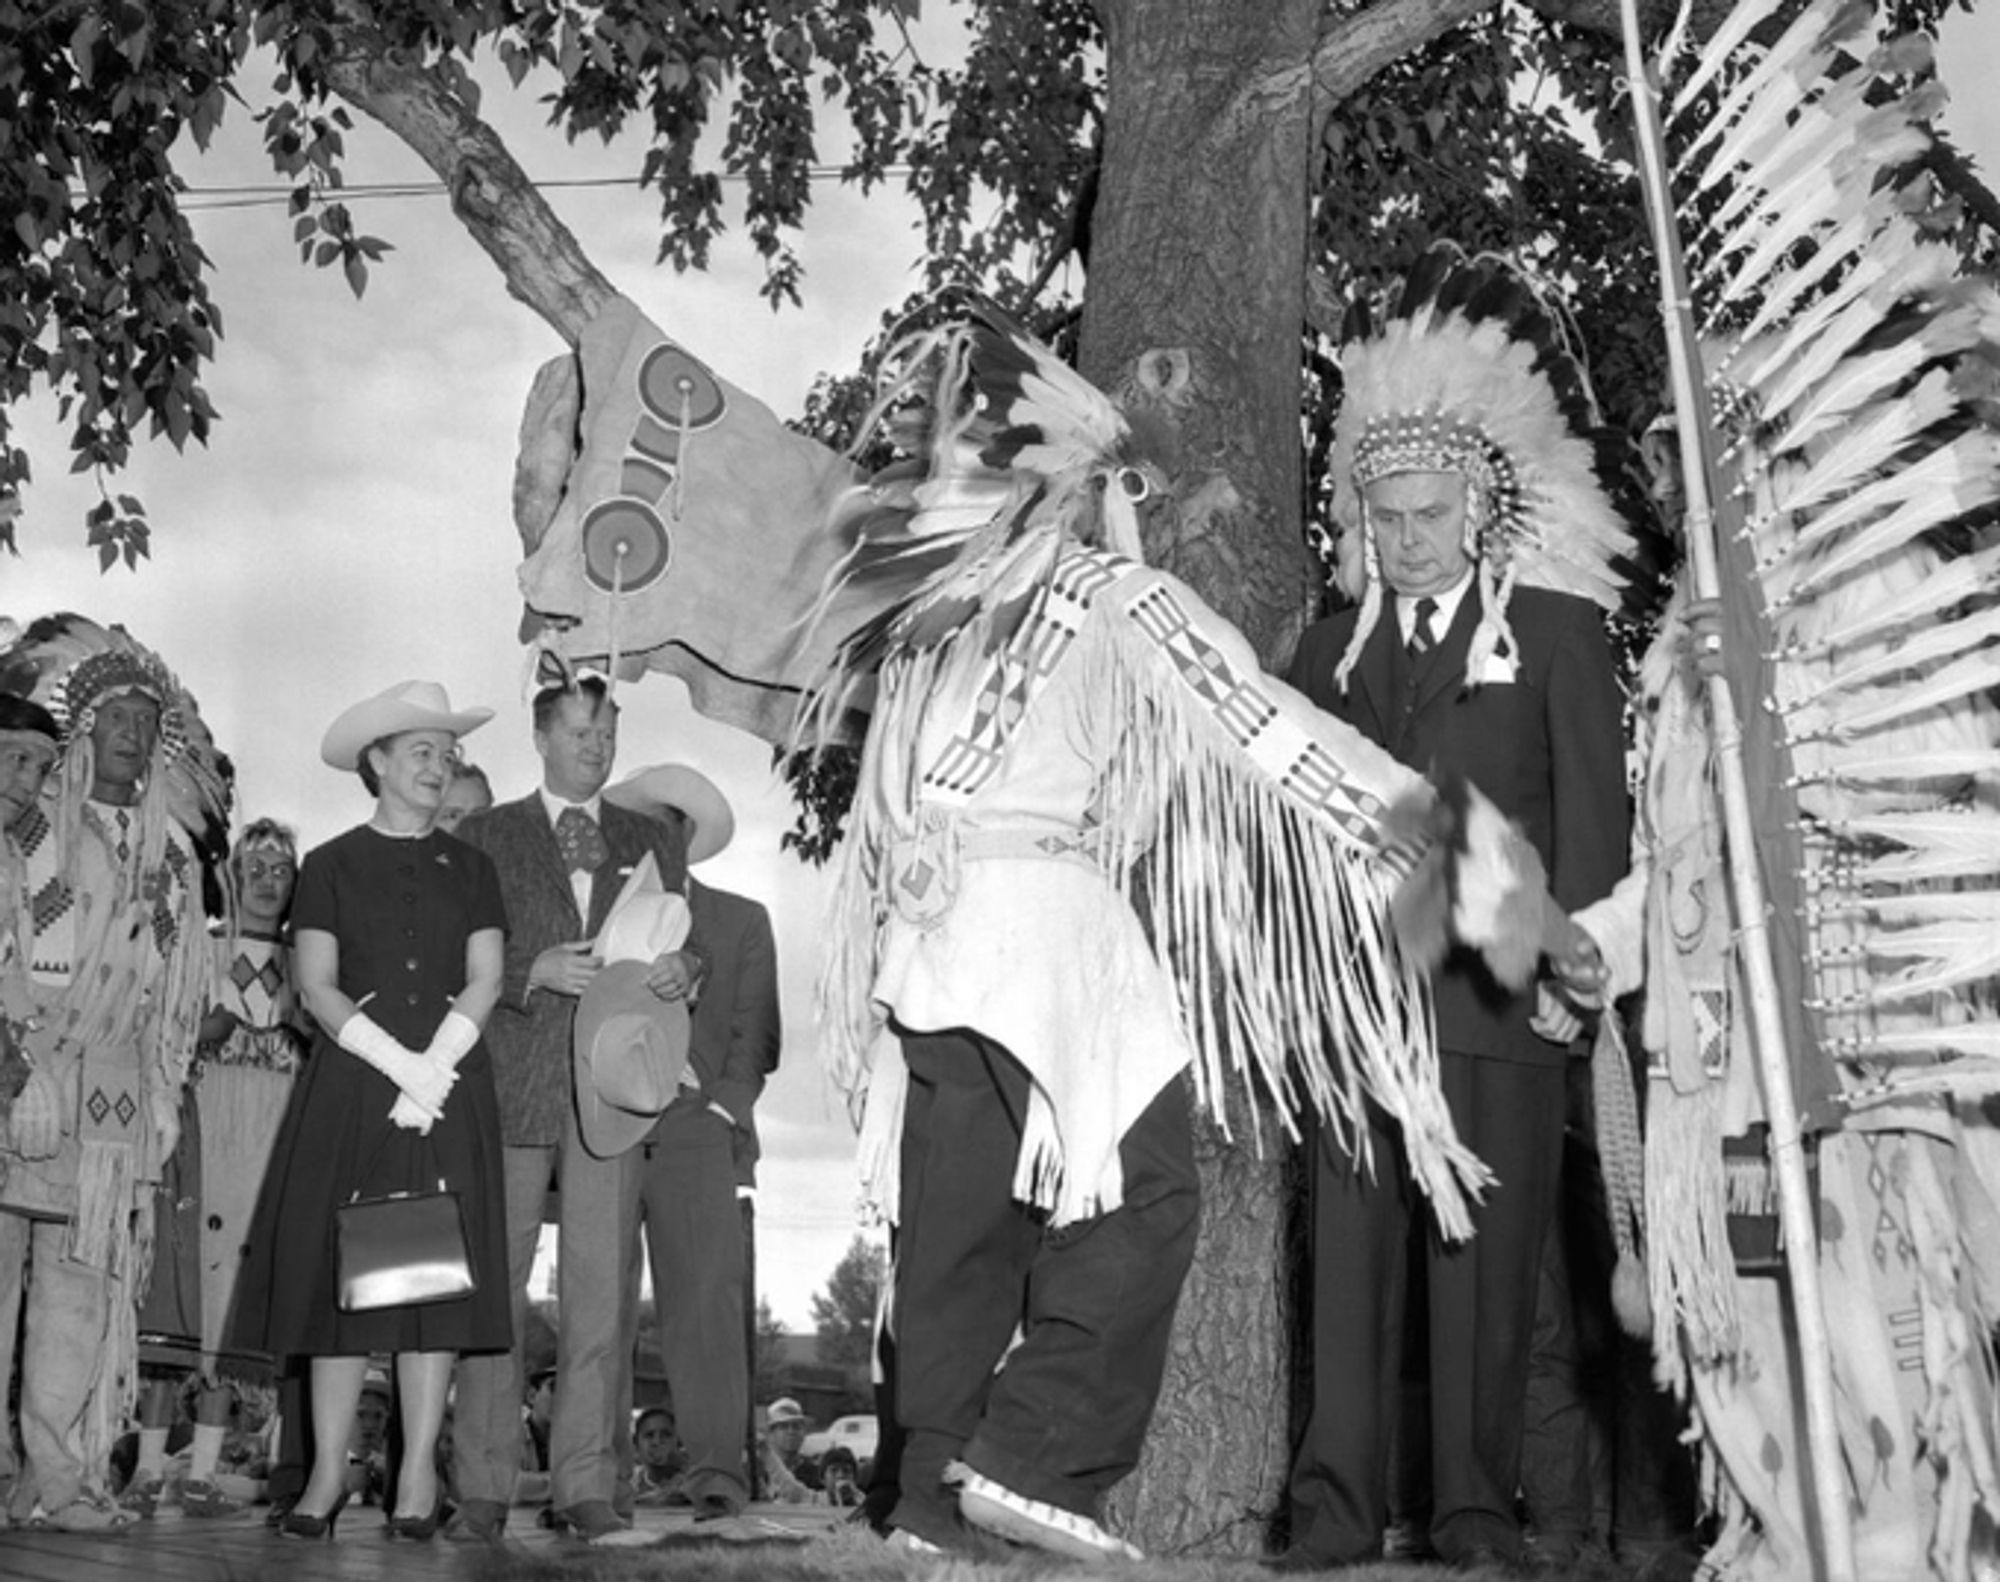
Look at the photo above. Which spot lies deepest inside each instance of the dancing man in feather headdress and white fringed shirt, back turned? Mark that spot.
(1049, 717)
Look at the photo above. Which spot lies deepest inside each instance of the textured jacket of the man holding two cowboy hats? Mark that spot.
(529, 1035)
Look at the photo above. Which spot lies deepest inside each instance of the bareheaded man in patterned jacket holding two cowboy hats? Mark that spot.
(563, 857)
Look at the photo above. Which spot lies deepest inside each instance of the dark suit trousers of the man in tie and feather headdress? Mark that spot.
(1481, 1299)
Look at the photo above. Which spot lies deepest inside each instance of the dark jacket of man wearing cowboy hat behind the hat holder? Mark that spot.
(735, 1039)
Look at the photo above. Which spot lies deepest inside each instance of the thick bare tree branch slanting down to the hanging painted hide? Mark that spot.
(493, 197)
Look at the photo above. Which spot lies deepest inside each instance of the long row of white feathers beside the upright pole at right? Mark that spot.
(1859, 447)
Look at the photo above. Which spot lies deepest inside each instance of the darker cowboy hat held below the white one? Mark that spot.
(629, 1053)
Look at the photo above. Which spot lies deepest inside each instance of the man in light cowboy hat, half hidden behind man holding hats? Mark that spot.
(683, 1181)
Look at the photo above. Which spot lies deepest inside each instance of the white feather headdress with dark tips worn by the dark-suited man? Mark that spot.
(1471, 373)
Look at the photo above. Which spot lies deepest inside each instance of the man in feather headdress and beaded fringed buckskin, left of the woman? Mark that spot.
(117, 977)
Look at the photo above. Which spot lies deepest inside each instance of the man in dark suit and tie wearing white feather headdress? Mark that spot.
(1469, 487)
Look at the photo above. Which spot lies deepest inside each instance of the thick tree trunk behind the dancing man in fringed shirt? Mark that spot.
(1193, 313)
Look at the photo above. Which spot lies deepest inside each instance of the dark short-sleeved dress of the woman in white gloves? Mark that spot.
(403, 911)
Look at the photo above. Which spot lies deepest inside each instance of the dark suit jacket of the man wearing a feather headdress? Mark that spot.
(1547, 749)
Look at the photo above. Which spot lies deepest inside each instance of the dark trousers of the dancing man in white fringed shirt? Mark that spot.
(1067, 1415)
